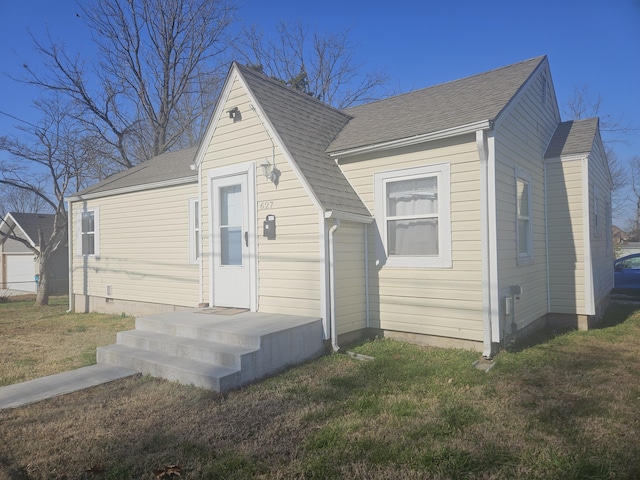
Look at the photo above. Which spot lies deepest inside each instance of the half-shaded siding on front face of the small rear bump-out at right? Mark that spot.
(566, 236)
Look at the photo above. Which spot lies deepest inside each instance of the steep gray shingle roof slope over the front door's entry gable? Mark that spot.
(307, 126)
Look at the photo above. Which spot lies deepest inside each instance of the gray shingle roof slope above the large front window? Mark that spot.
(441, 107)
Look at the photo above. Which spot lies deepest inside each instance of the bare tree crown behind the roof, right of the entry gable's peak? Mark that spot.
(322, 65)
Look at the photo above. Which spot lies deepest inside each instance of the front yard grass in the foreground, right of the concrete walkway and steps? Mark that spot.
(567, 408)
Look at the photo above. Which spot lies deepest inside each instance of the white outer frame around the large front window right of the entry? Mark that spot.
(443, 174)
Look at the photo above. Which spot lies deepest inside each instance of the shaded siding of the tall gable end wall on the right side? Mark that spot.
(521, 139)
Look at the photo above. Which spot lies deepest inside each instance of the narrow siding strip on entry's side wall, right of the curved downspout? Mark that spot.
(350, 278)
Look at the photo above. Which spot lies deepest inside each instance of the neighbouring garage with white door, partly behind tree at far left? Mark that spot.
(18, 263)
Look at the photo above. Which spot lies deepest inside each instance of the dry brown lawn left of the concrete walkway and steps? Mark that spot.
(39, 341)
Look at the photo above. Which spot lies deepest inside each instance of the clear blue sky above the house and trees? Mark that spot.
(418, 43)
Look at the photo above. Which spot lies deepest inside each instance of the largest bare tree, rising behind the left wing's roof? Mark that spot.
(156, 76)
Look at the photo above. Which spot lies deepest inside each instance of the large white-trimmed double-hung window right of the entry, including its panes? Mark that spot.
(413, 214)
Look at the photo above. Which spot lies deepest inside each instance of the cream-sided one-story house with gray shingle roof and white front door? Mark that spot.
(463, 214)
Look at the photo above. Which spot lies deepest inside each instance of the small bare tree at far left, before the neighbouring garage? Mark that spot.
(49, 164)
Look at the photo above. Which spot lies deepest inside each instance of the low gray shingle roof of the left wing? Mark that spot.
(166, 167)
